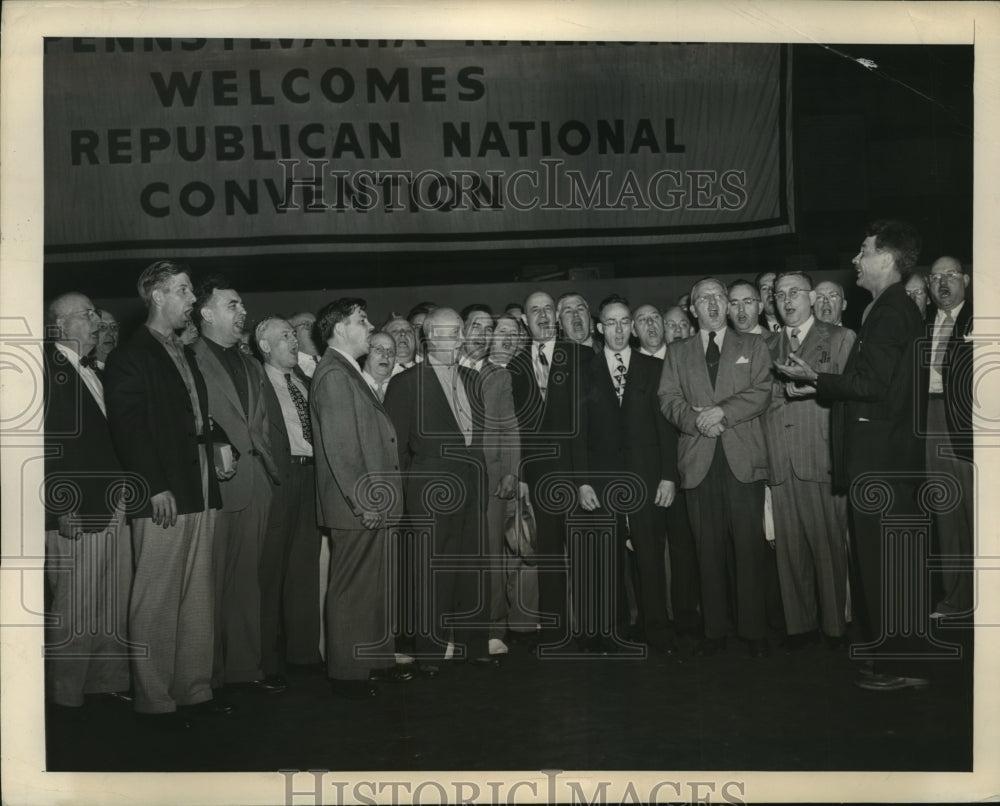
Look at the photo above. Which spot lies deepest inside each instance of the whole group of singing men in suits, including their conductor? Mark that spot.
(706, 470)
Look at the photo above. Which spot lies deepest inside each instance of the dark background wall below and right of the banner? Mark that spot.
(896, 140)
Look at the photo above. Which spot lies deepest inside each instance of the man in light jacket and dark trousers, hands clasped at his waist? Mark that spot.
(715, 395)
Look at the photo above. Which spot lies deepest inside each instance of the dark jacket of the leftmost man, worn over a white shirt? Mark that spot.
(78, 450)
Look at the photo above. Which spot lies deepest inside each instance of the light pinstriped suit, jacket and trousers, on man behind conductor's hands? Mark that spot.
(810, 521)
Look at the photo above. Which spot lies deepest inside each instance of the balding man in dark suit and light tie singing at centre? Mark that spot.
(547, 386)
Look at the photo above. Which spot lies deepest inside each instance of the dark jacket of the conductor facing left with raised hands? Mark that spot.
(883, 387)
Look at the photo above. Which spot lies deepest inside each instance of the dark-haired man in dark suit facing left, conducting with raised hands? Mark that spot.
(876, 435)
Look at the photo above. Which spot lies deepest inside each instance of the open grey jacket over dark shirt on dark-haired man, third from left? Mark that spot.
(248, 433)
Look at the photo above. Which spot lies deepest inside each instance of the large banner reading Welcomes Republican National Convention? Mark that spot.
(194, 146)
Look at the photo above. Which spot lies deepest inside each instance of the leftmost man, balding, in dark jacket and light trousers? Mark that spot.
(87, 542)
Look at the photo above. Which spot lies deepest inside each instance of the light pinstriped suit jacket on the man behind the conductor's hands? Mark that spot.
(797, 429)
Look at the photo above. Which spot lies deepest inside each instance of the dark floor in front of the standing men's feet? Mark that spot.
(791, 711)
